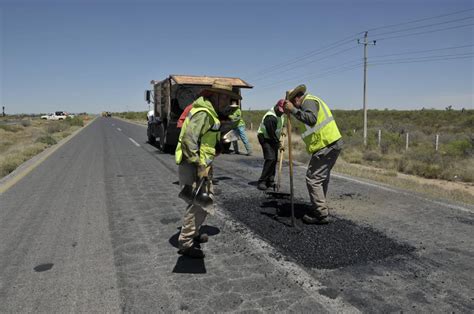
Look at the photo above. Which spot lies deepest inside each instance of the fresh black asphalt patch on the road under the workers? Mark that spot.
(337, 244)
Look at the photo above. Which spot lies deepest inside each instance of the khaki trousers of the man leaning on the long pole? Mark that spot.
(317, 179)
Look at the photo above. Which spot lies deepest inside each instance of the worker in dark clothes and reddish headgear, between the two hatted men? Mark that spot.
(269, 134)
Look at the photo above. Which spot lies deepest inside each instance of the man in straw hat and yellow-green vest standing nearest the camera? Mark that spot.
(195, 152)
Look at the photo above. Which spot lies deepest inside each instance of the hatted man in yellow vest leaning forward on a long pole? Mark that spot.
(323, 142)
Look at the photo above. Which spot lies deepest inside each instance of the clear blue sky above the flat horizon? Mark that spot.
(101, 55)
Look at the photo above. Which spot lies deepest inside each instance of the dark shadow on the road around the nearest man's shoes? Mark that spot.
(188, 265)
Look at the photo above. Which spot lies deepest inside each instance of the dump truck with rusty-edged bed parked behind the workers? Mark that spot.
(169, 98)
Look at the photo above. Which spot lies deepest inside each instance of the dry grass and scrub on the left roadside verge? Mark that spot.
(22, 141)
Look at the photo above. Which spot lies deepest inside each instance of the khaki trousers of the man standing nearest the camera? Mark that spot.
(195, 215)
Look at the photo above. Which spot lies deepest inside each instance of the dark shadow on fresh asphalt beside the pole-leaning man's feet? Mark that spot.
(280, 211)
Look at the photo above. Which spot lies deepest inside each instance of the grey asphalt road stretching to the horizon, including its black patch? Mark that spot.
(94, 229)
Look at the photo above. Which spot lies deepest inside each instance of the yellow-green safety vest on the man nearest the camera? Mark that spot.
(207, 145)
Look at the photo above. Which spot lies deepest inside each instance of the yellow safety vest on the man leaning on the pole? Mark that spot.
(324, 132)
